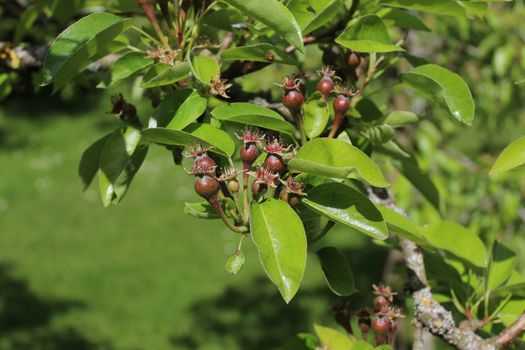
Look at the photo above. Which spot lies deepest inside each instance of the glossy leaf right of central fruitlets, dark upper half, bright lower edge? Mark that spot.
(347, 206)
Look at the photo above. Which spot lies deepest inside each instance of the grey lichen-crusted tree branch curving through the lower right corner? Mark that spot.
(431, 314)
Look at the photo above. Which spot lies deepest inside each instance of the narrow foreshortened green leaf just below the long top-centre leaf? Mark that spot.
(262, 52)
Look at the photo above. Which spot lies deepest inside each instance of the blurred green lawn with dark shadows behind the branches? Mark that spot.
(141, 275)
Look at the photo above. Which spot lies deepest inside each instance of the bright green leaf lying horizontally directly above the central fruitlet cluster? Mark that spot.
(250, 114)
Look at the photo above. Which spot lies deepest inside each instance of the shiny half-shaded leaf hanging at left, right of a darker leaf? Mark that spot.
(121, 158)
